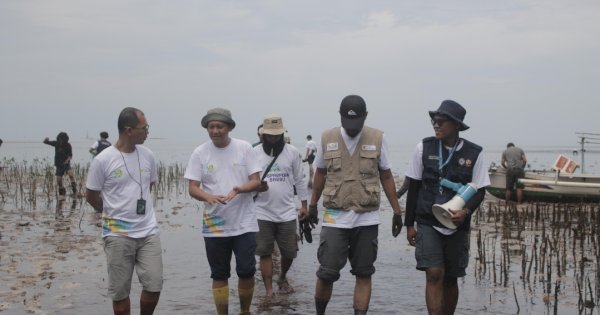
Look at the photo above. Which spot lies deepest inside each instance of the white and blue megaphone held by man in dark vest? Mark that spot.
(463, 194)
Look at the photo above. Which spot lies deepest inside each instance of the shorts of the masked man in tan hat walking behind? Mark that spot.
(284, 233)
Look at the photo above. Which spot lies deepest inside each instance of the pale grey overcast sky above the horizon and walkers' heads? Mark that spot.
(527, 71)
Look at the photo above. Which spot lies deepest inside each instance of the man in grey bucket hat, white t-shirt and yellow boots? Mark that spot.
(222, 173)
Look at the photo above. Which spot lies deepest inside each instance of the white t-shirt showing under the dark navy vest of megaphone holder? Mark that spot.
(481, 178)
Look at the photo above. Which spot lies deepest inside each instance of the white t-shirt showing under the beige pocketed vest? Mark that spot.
(350, 219)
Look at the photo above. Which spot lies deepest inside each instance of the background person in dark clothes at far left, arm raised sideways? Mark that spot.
(63, 153)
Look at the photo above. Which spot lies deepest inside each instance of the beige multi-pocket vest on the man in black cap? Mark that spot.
(352, 181)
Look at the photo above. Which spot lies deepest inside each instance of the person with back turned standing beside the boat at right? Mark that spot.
(514, 160)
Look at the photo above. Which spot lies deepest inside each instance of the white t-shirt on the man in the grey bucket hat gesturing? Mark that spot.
(219, 170)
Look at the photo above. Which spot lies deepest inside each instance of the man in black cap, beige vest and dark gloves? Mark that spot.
(351, 164)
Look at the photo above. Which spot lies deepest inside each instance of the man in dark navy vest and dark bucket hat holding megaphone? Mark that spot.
(441, 252)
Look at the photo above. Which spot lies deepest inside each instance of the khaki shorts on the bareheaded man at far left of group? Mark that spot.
(125, 253)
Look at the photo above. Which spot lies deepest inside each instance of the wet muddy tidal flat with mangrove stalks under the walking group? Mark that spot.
(537, 259)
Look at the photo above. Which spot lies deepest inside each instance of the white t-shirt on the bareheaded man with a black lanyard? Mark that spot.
(117, 175)
